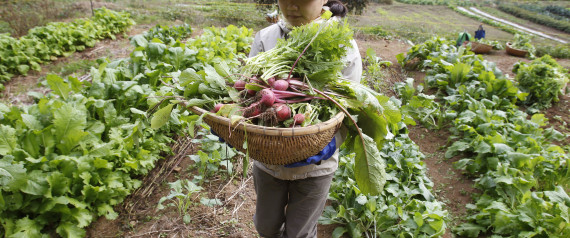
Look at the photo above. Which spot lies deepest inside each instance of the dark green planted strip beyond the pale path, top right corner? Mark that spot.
(536, 18)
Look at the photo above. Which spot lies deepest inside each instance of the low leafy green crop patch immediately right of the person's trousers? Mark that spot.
(406, 207)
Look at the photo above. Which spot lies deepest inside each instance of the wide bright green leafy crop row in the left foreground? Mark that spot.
(80, 149)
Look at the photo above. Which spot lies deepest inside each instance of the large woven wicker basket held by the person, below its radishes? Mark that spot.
(271, 145)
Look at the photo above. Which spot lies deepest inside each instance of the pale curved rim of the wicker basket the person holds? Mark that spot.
(272, 131)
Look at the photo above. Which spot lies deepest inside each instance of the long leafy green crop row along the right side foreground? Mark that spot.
(522, 175)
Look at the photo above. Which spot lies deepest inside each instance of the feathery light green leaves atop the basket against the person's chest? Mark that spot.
(321, 62)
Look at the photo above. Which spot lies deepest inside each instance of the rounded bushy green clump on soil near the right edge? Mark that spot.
(544, 79)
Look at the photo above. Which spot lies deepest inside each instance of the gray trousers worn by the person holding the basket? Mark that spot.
(289, 208)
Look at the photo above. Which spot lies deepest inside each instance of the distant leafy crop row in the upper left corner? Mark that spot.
(45, 43)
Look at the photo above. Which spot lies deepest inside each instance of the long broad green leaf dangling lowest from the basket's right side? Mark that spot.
(369, 165)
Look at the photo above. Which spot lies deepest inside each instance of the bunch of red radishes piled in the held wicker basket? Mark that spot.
(269, 105)
